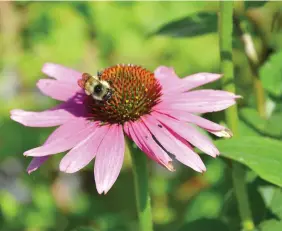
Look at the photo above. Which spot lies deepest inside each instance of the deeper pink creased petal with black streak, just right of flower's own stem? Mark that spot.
(142, 137)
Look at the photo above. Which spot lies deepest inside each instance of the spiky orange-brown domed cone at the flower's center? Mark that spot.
(135, 92)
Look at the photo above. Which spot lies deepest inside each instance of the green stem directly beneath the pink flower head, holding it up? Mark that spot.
(143, 200)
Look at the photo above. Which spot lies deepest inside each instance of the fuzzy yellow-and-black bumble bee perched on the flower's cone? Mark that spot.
(99, 89)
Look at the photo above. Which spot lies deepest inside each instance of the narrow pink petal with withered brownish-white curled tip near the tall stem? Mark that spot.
(208, 125)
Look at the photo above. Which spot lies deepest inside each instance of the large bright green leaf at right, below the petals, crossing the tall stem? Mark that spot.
(262, 155)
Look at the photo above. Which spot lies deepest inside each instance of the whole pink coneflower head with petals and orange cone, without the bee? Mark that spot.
(155, 110)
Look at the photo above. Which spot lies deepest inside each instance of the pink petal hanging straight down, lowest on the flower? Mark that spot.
(109, 159)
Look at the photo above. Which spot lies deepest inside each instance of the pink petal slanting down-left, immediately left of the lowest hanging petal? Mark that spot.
(84, 151)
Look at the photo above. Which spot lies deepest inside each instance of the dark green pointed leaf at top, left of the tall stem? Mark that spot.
(193, 25)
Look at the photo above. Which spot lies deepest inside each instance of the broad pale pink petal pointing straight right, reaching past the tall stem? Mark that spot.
(200, 101)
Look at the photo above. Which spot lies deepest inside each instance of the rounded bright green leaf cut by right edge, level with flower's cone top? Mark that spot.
(271, 74)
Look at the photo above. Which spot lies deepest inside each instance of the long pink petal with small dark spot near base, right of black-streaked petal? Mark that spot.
(182, 152)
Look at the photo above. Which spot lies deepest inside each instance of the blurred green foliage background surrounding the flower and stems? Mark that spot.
(89, 36)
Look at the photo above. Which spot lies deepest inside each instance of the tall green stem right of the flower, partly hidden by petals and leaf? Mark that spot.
(238, 173)
